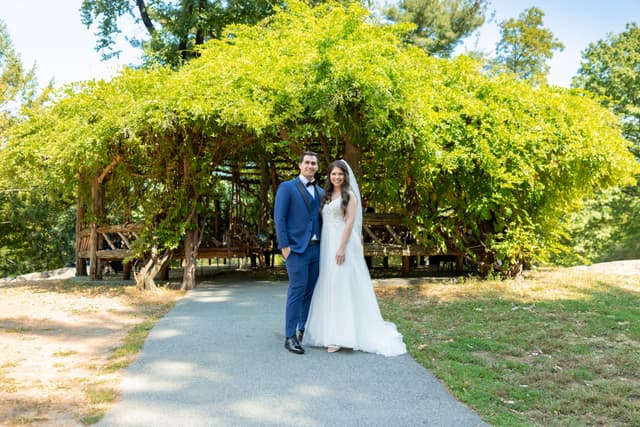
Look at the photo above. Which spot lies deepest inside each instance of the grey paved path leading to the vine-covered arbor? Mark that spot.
(217, 359)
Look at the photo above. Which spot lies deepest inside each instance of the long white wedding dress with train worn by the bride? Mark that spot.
(344, 309)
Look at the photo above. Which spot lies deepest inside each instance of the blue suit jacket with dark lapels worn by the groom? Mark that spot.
(295, 214)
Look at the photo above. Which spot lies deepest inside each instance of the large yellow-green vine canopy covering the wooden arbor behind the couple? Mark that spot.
(486, 165)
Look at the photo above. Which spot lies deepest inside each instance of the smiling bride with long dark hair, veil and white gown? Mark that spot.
(344, 310)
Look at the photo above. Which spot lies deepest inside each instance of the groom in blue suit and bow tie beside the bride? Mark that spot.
(297, 220)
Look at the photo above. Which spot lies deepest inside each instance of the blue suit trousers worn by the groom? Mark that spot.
(303, 270)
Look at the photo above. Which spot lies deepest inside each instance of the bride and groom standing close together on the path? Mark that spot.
(330, 299)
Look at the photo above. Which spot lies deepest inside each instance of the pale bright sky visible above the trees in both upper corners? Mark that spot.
(49, 34)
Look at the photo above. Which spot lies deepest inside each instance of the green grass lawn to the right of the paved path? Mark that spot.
(560, 347)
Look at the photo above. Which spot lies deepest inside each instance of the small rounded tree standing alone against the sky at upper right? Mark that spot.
(526, 46)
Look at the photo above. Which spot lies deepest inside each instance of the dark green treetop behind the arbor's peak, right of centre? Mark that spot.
(440, 24)
